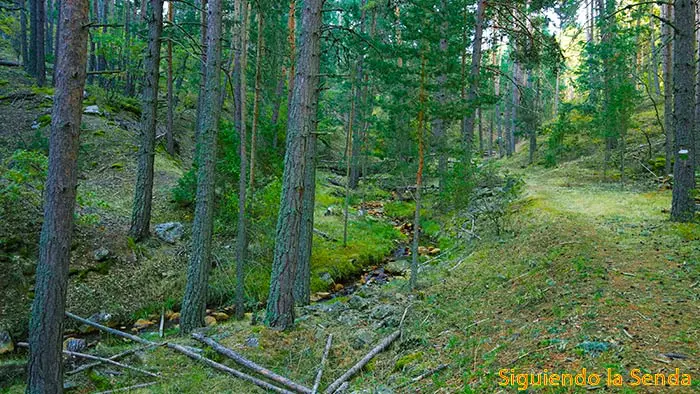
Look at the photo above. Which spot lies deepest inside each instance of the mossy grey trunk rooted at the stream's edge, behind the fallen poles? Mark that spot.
(194, 301)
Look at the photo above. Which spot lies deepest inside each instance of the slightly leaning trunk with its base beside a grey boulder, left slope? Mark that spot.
(143, 193)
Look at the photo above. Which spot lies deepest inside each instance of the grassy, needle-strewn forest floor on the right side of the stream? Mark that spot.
(585, 275)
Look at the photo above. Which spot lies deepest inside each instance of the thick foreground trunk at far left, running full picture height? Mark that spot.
(46, 324)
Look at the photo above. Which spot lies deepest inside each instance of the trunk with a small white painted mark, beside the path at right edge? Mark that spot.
(683, 205)
